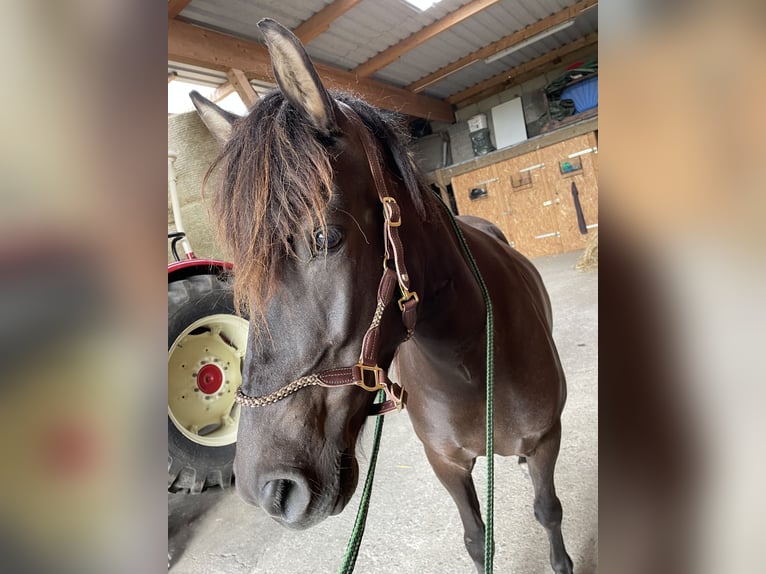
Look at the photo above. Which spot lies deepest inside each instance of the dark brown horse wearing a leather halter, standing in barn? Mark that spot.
(316, 189)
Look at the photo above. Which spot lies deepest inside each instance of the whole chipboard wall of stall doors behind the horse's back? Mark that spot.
(530, 199)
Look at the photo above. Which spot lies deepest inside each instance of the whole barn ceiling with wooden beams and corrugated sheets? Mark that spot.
(423, 63)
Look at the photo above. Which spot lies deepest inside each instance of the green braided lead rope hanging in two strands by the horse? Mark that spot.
(352, 550)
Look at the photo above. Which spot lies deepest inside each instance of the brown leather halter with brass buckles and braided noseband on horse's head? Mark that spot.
(366, 373)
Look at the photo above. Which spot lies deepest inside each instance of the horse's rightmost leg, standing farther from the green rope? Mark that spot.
(548, 512)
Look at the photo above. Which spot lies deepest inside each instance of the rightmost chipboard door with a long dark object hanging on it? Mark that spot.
(568, 162)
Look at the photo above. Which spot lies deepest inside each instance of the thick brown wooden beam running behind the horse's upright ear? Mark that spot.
(197, 46)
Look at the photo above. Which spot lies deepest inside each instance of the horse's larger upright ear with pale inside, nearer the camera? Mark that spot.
(296, 75)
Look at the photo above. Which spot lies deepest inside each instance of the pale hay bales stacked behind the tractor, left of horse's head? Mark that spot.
(196, 149)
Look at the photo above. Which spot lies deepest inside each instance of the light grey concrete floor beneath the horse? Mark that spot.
(413, 525)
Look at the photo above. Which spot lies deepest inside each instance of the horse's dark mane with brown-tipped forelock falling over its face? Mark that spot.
(276, 175)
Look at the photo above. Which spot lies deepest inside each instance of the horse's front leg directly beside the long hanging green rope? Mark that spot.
(456, 478)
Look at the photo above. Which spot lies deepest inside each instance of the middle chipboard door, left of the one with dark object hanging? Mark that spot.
(529, 208)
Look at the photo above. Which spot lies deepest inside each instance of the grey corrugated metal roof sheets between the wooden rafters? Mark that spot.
(373, 26)
